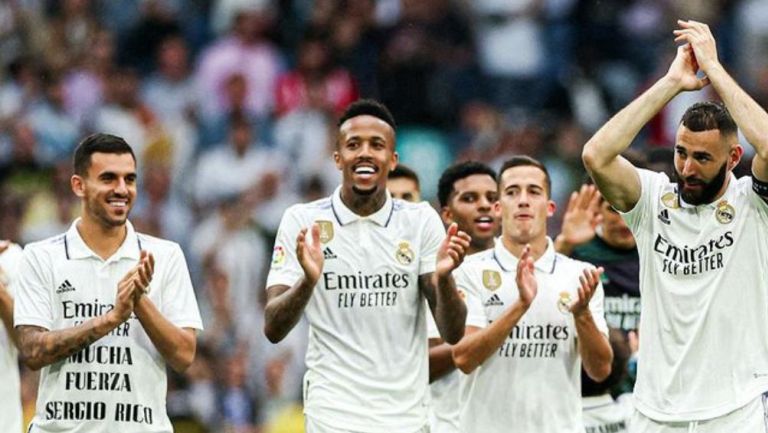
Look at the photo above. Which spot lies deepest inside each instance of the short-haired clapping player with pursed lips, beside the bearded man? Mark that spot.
(533, 317)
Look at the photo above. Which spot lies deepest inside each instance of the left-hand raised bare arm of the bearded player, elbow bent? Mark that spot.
(614, 175)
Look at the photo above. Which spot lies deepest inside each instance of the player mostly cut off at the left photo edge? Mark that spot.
(10, 398)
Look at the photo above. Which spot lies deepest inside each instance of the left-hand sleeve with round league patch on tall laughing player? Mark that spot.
(285, 268)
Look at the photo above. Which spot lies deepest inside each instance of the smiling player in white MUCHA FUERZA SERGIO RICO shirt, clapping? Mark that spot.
(102, 309)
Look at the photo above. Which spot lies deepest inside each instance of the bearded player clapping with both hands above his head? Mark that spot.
(703, 360)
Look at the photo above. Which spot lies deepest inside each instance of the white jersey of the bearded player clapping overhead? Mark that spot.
(703, 346)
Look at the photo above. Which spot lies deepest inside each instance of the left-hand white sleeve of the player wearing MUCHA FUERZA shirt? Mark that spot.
(33, 303)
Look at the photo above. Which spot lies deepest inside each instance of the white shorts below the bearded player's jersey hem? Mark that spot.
(751, 418)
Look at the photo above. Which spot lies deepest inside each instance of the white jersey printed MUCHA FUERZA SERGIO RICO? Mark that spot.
(118, 383)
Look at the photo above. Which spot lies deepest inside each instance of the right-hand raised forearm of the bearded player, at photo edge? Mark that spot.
(748, 114)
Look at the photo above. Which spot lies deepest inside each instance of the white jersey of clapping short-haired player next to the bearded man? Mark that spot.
(533, 381)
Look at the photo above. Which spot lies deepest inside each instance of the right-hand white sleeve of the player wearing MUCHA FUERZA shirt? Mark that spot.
(179, 305)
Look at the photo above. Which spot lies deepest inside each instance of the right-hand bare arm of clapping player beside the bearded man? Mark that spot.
(594, 348)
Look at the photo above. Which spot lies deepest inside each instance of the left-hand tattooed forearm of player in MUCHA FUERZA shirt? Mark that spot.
(40, 347)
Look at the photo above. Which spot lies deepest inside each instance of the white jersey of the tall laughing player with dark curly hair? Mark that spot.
(367, 365)
